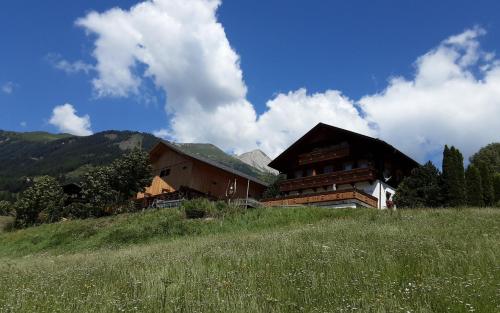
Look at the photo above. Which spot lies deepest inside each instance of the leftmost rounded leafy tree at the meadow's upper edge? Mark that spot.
(41, 203)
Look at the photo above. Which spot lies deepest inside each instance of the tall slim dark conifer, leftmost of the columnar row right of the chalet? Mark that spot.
(453, 177)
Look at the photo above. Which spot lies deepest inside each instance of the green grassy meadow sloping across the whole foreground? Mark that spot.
(268, 260)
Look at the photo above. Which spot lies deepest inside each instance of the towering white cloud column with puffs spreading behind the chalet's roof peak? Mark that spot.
(183, 48)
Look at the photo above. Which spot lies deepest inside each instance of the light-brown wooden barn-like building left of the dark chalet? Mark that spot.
(177, 171)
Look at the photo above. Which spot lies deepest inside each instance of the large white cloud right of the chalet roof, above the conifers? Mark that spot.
(448, 101)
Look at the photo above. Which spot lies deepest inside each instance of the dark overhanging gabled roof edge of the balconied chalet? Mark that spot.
(275, 163)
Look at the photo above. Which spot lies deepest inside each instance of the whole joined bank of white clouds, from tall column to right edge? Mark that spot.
(183, 49)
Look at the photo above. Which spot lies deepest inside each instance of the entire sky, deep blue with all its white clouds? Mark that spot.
(255, 74)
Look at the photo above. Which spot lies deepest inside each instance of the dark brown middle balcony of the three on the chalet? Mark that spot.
(341, 177)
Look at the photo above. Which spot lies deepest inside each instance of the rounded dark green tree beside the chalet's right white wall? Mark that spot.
(420, 189)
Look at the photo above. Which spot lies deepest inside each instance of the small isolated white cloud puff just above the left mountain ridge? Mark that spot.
(65, 119)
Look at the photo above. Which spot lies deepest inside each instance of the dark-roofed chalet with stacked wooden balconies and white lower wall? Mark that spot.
(335, 167)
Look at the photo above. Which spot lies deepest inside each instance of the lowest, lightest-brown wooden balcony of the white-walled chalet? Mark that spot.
(351, 195)
